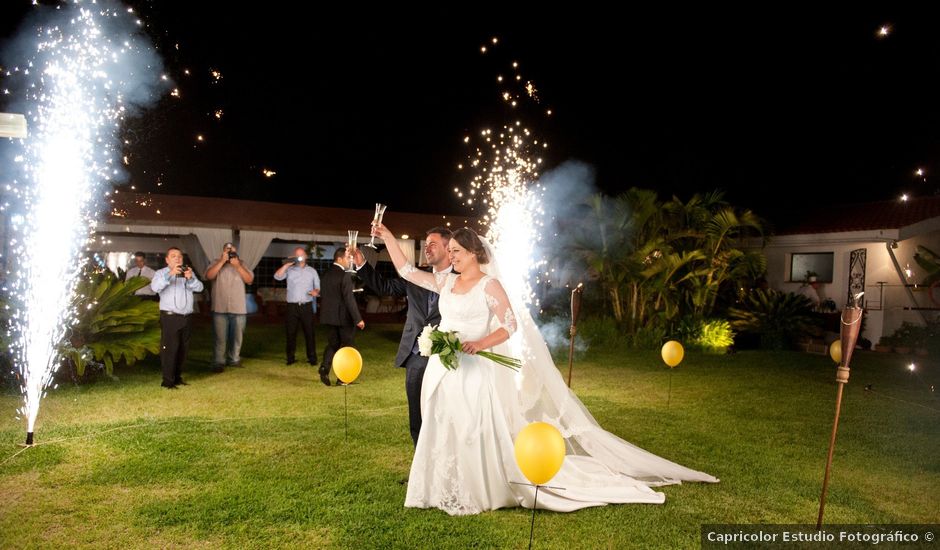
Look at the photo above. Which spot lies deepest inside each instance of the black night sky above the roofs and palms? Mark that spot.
(780, 110)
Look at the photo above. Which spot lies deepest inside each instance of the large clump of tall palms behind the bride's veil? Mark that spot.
(660, 261)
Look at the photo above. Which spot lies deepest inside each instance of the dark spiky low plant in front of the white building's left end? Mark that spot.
(778, 318)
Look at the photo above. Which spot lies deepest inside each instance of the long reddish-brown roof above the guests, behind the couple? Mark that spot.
(177, 210)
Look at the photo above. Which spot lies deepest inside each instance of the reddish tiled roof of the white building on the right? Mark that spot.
(893, 214)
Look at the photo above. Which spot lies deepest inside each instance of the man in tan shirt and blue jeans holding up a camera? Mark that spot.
(229, 310)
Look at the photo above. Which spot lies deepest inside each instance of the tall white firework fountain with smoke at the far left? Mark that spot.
(86, 62)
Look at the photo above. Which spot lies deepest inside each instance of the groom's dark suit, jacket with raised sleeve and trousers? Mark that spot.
(422, 311)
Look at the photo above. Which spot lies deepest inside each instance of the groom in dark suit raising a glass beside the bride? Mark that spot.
(422, 311)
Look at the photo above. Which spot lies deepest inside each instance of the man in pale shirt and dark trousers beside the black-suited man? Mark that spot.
(303, 286)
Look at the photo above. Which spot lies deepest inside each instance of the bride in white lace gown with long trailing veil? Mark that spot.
(464, 461)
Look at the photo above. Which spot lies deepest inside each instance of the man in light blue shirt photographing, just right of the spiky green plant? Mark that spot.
(175, 284)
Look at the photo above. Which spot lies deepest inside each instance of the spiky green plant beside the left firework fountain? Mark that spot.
(113, 324)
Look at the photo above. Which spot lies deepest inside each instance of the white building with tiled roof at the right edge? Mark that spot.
(866, 247)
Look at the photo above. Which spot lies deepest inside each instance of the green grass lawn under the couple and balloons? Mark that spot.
(256, 457)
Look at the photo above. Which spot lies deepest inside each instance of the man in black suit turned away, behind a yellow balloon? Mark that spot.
(338, 311)
